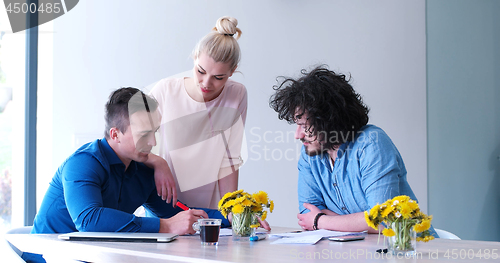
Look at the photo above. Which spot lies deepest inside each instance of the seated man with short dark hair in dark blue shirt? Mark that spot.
(98, 188)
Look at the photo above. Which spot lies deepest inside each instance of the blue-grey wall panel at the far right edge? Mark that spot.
(463, 45)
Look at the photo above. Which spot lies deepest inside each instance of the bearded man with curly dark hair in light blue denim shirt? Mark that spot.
(346, 166)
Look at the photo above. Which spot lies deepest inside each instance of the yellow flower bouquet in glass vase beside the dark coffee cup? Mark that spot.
(245, 208)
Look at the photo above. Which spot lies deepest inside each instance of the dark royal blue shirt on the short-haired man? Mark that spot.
(91, 191)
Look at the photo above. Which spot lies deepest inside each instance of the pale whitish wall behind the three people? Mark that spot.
(102, 45)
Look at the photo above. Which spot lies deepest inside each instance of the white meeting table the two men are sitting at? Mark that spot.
(189, 249)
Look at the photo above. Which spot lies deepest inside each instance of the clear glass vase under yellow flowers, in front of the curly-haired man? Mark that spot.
(404, 242)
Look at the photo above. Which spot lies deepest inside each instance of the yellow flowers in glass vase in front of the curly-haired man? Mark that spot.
(403, 219)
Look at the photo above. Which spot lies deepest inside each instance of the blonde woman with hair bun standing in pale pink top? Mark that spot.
(203, 120)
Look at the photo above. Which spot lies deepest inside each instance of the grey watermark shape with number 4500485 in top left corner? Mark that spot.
(25, 14)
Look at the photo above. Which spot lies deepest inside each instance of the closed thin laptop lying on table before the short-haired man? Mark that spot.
(118, 236)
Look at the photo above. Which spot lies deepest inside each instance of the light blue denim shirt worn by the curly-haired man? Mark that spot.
(367, 171)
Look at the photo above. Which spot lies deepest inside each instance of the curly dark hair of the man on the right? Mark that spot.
(335, 112)
